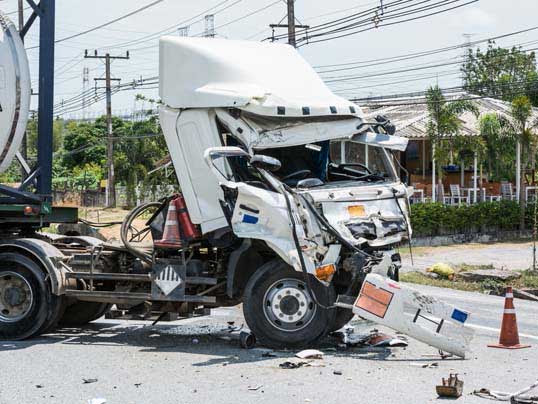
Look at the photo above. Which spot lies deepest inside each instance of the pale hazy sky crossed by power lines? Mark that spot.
(483, 19)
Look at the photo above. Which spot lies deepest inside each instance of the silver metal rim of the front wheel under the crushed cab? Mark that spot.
(288, 305)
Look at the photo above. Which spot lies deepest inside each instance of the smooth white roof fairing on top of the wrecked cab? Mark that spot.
(265, 79)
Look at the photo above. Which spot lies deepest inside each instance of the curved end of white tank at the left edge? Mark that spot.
(14, 91)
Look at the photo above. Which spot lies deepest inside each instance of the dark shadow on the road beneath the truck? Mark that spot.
(212, 340)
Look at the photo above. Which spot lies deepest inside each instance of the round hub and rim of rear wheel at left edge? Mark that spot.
(16, 297)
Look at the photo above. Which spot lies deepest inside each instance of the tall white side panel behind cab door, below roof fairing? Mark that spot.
(188, 134)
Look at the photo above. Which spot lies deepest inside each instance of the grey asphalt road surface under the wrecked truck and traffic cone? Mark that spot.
(193, 362)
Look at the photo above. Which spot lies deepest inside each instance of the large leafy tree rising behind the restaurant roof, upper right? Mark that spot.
(501, 73)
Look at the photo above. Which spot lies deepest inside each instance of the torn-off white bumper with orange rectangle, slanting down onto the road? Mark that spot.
(420, 316)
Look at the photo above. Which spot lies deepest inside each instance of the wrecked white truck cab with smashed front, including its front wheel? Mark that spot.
(264, 149)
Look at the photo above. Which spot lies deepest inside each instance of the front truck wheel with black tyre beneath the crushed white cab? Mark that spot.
(279, 310)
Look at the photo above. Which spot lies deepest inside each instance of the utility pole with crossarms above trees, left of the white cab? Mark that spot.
(110, 186)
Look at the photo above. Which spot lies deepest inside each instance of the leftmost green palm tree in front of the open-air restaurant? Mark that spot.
(444, 125)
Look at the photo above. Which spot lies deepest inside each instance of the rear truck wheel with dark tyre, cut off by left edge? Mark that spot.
(25, 298)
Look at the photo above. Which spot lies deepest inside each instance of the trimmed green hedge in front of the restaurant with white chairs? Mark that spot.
(432, 219)
